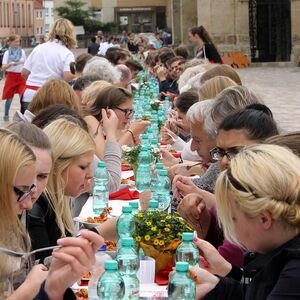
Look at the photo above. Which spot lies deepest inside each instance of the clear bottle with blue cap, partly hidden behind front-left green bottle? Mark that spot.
(97, 270)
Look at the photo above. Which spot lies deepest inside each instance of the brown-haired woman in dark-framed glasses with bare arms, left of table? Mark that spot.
(121, 102)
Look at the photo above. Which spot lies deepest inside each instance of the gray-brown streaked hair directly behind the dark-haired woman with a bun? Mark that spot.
(231, 100)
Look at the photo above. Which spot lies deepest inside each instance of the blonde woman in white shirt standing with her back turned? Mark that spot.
(51, 59)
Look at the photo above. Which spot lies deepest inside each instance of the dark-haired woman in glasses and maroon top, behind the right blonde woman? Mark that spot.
(249, 126)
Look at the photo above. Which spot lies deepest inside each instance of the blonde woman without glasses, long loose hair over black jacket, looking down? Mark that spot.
(73, 152)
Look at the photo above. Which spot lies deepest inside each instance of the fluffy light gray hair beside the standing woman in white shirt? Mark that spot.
(101, 67)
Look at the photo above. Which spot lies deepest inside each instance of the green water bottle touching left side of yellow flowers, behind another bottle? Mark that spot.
(125, 224)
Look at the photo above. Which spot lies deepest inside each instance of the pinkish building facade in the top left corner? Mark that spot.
(16, 17)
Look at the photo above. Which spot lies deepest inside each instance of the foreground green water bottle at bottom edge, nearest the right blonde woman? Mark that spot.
(181, 285)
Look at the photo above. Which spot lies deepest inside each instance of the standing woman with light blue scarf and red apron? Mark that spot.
(12, 63)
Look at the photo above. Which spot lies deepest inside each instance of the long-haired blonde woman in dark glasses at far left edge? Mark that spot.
(18, 179)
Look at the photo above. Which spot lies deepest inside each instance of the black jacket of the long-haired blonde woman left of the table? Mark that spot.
(42, 226)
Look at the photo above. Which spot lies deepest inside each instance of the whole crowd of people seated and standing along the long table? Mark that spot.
(237, 181)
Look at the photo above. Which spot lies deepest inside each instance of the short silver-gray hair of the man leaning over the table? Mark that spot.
(200, 112)
